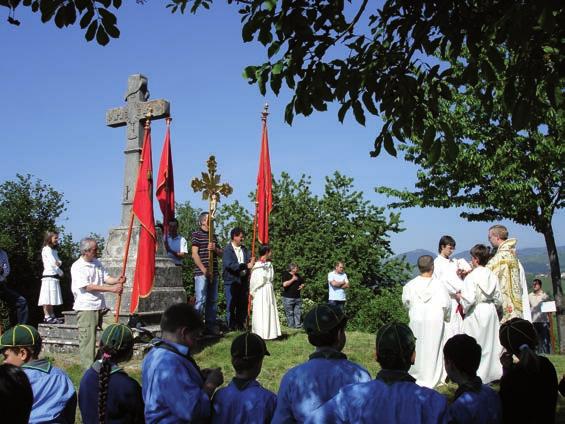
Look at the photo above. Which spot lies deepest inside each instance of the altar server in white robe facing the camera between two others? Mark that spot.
(448, 270)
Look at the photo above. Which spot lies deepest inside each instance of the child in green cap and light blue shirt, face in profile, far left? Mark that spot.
(54, 397)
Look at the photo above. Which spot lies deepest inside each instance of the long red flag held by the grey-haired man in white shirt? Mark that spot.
(143, 210)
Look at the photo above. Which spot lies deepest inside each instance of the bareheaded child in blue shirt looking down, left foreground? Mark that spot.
(175, 390)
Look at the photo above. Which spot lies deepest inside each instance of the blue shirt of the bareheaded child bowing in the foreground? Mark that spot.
(172, 386)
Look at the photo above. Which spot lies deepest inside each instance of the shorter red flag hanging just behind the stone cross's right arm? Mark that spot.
(165, 181)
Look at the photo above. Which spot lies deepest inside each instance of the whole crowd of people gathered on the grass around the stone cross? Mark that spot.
(469, 323)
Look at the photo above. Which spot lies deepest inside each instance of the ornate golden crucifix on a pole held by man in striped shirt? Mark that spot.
(211, 189)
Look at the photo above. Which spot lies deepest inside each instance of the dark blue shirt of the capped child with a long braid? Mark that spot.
(124, 404)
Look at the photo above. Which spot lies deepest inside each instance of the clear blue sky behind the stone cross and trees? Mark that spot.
(57, 87)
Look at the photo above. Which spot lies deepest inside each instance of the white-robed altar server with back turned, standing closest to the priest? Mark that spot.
(480, 298)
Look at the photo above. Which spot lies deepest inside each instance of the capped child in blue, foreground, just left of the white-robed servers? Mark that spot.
(394, 396)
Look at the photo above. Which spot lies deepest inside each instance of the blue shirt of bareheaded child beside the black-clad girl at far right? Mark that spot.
(472, 406)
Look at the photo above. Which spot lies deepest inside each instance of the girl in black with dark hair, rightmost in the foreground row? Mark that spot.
(526, 376)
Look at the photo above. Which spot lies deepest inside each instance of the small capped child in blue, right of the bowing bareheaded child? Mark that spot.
(244, 400)
